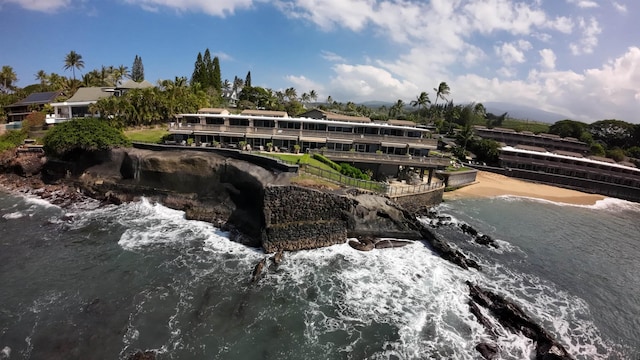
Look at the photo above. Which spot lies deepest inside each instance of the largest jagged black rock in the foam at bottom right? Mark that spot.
(513, 318)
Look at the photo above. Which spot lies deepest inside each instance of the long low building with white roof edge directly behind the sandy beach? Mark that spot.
(565, 164)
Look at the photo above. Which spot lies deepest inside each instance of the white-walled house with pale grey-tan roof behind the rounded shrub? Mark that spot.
(78, 105)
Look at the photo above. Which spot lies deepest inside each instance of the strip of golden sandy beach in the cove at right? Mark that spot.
(491, 185)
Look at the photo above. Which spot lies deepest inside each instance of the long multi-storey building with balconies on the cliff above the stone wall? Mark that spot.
(316, 129)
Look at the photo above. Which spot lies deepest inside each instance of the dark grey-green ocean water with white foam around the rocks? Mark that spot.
(101, 282)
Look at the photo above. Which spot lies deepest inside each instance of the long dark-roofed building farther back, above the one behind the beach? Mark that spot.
(549, 142)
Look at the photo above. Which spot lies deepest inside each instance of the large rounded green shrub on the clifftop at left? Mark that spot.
(87, 134)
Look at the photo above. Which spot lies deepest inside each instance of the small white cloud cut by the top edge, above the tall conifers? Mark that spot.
(216, 8)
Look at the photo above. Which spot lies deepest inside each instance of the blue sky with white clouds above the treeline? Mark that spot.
(575, 57)
